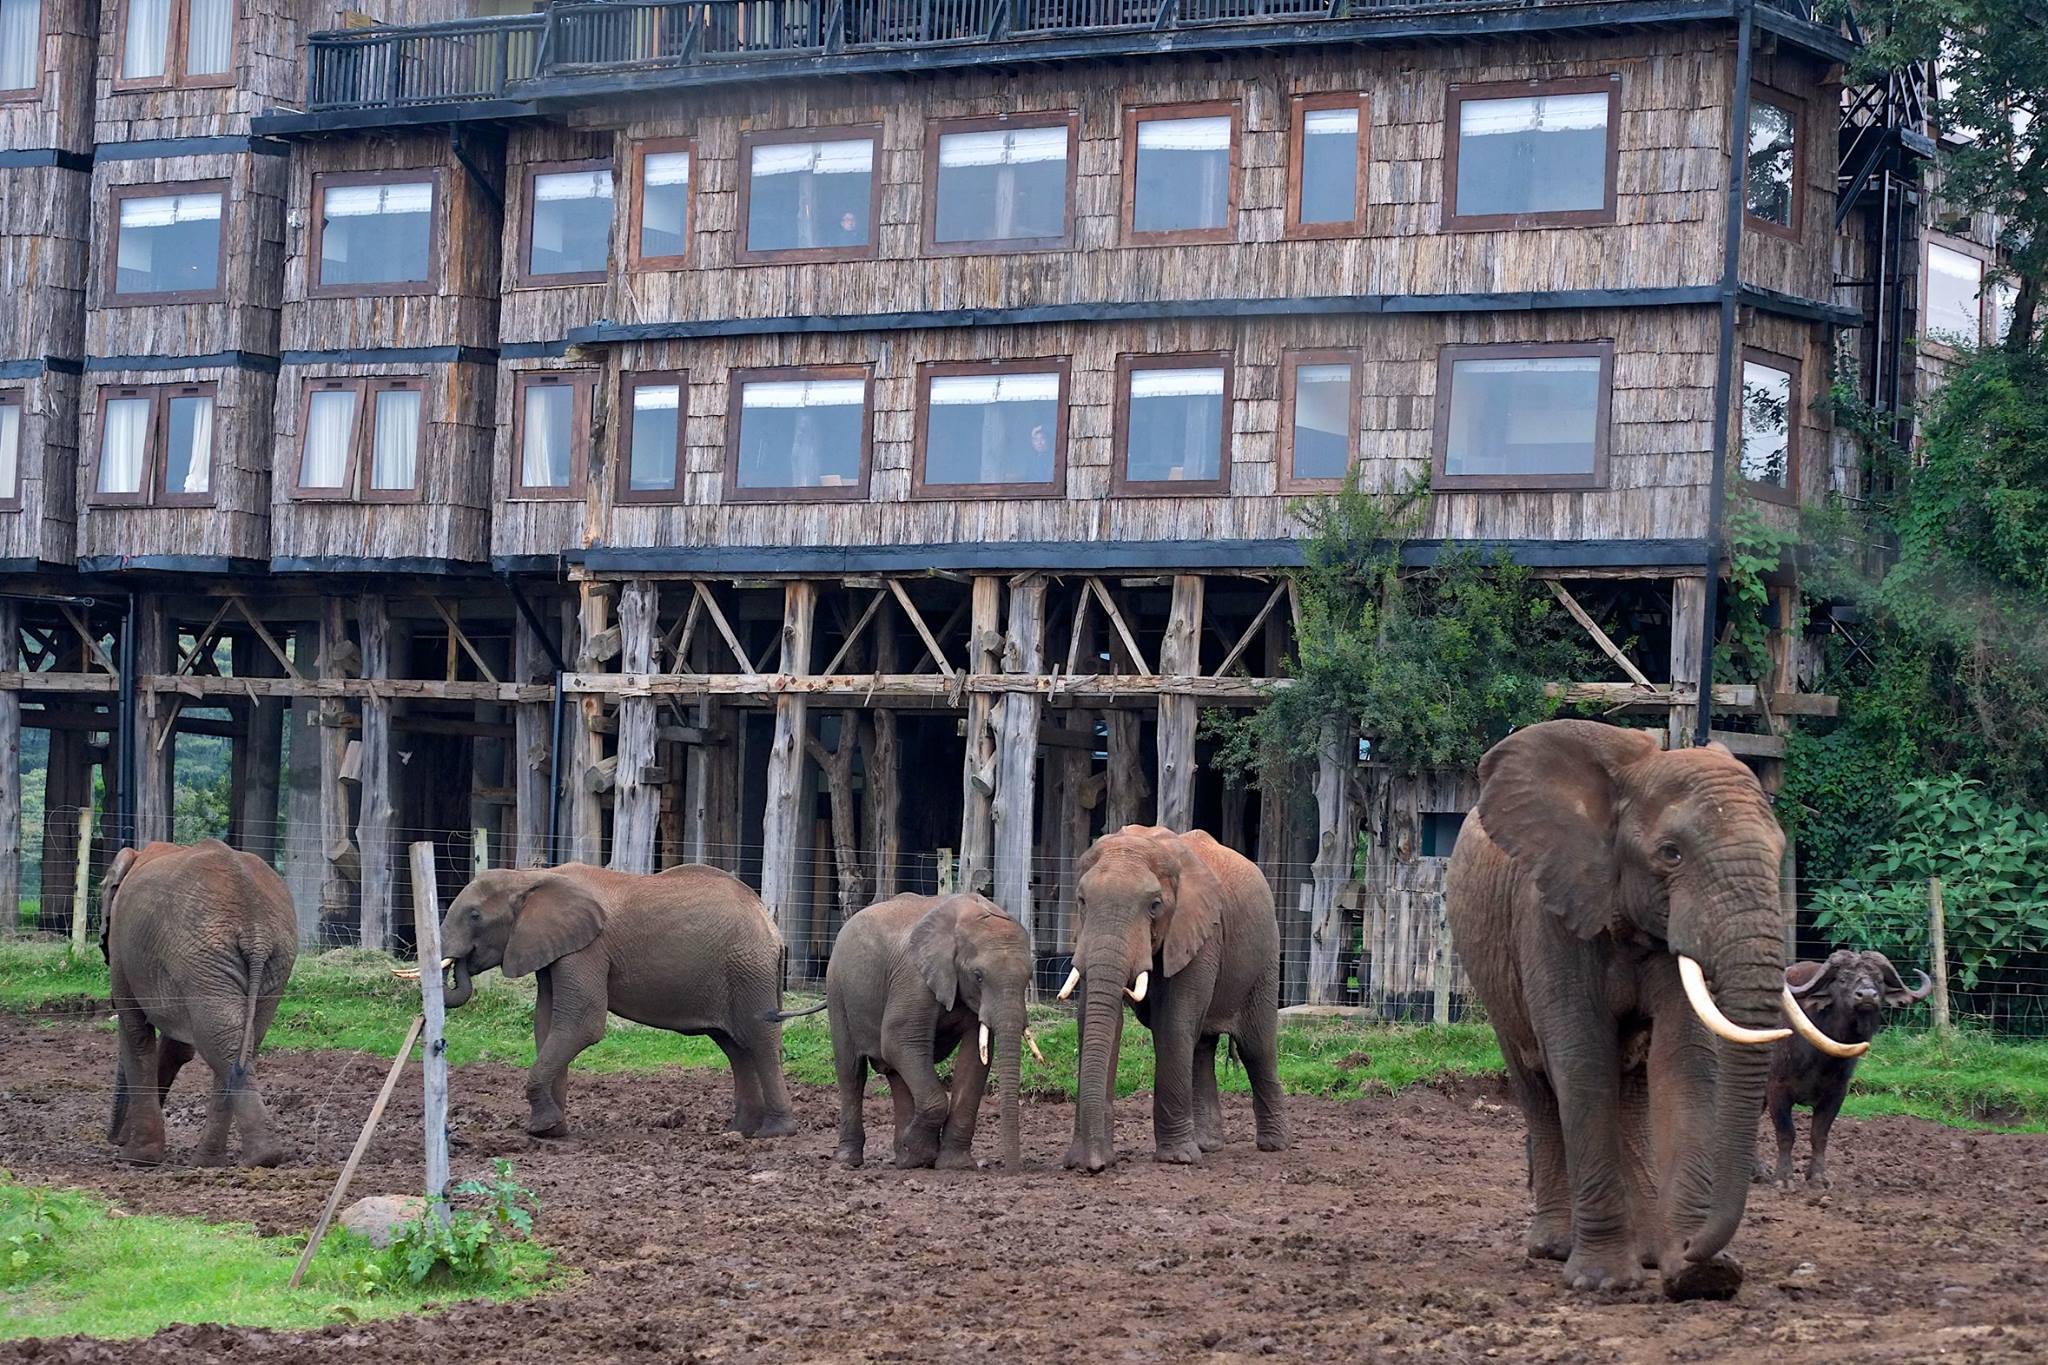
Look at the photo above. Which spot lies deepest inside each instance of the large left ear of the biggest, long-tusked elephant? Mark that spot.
(1549, 795)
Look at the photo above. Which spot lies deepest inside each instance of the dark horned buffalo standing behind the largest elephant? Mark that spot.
(1846, 998)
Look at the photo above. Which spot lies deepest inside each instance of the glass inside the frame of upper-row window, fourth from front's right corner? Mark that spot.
(1000, 185)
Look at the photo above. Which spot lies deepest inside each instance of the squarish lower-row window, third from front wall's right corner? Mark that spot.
(1175, 425)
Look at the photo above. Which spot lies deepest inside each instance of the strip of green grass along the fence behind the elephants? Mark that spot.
(347, 1000)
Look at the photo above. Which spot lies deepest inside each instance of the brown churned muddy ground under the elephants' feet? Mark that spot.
(1392, 1231)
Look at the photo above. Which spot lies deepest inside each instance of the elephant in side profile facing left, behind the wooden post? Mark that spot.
(689, 951)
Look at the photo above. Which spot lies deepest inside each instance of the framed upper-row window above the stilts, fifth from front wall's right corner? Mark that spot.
(812, 195)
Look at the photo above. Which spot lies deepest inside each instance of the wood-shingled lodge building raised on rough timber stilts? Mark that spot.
(851, 441)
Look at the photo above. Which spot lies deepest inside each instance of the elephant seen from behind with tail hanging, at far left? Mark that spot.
(200, 944)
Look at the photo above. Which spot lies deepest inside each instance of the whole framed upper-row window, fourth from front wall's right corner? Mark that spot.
(1000, 183)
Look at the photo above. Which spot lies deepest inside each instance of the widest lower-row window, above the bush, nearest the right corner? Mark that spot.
(1523, 416)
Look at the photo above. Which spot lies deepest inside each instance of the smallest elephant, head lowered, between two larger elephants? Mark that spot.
(910, 981)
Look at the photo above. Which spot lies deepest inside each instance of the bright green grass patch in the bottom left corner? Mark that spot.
(108, 1274)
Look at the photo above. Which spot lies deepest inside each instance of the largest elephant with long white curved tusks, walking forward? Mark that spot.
(1619, 912)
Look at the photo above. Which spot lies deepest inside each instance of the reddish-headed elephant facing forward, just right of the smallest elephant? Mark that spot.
(1185, 928)
